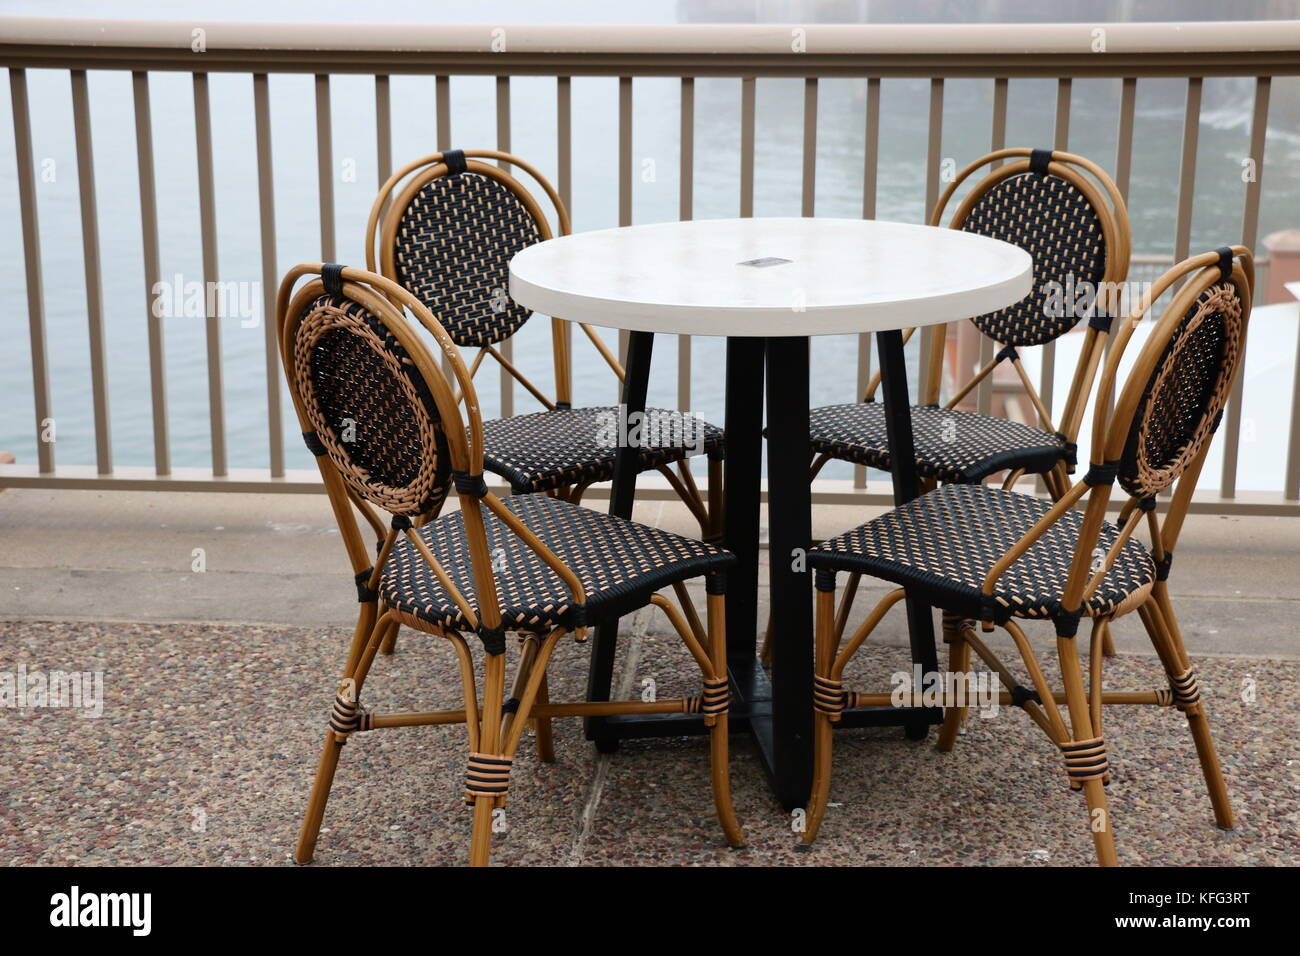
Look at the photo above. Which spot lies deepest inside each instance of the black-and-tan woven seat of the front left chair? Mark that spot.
(621, 565)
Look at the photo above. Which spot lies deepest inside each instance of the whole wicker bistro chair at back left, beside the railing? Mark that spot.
(447, 227)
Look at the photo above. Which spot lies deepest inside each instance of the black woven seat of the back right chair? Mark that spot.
(952, 445)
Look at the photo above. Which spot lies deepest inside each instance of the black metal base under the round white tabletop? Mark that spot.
(778, 712)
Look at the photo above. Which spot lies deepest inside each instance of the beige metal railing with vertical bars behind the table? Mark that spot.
(1002, 55)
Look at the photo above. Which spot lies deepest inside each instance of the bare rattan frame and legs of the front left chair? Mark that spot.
(495, 729)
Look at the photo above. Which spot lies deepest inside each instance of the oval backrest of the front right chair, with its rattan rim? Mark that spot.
(1175, 399)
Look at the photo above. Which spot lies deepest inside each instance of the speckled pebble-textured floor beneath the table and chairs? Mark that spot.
(210, 736)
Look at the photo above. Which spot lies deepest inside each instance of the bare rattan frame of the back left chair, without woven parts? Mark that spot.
(382, 232)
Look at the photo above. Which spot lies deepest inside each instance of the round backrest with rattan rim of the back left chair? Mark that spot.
(449, 239)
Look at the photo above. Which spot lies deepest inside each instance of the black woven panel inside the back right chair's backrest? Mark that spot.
(1056, 224)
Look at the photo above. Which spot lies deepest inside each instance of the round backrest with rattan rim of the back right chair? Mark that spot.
(1073, 231)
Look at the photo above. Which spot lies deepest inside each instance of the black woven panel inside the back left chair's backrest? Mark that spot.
(453, 252)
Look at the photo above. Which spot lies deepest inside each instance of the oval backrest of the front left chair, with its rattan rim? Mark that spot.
(361, 382)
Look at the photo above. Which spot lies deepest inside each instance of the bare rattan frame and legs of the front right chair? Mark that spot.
(1080, 733)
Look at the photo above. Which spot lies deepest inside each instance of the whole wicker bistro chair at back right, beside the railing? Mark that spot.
(1077, 231)
